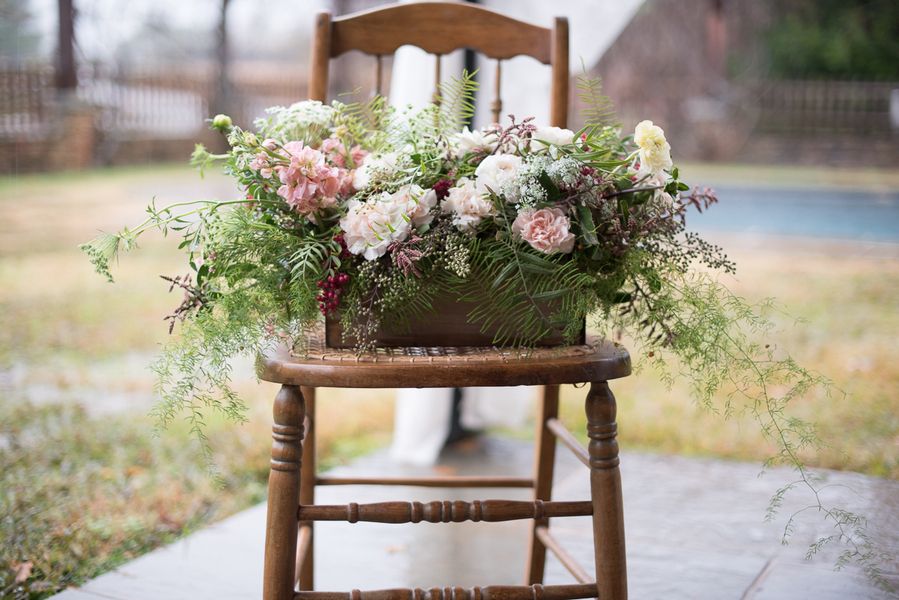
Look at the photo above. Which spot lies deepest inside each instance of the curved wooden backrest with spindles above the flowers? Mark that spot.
(439, 28)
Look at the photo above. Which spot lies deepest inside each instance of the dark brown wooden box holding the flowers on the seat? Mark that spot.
(447, 325)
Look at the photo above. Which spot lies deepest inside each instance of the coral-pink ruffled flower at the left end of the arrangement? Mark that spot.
(309, 183)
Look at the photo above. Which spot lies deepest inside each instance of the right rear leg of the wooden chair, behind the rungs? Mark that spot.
(544, 461)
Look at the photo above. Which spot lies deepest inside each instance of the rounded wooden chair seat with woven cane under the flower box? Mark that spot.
(316, 365)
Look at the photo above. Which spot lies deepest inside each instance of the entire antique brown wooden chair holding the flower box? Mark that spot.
(439, 28)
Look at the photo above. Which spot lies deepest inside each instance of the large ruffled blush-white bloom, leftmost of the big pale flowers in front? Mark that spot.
(370, 227)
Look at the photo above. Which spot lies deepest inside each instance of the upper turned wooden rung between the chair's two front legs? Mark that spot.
(444, 512)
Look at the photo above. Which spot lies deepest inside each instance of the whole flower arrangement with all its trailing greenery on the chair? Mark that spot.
(369, 215)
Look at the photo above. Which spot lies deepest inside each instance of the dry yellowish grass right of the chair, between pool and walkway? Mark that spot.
(849, 315)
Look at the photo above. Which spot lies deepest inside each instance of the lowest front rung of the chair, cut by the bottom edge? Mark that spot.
(490, 592)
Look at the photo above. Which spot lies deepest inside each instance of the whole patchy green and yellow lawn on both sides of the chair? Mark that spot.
(86, 485)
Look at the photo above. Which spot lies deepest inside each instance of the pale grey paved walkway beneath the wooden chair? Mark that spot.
(695, 530)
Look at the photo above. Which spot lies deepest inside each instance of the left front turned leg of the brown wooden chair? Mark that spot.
(283, 491)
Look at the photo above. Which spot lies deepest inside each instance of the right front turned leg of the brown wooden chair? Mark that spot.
(605, 492)
